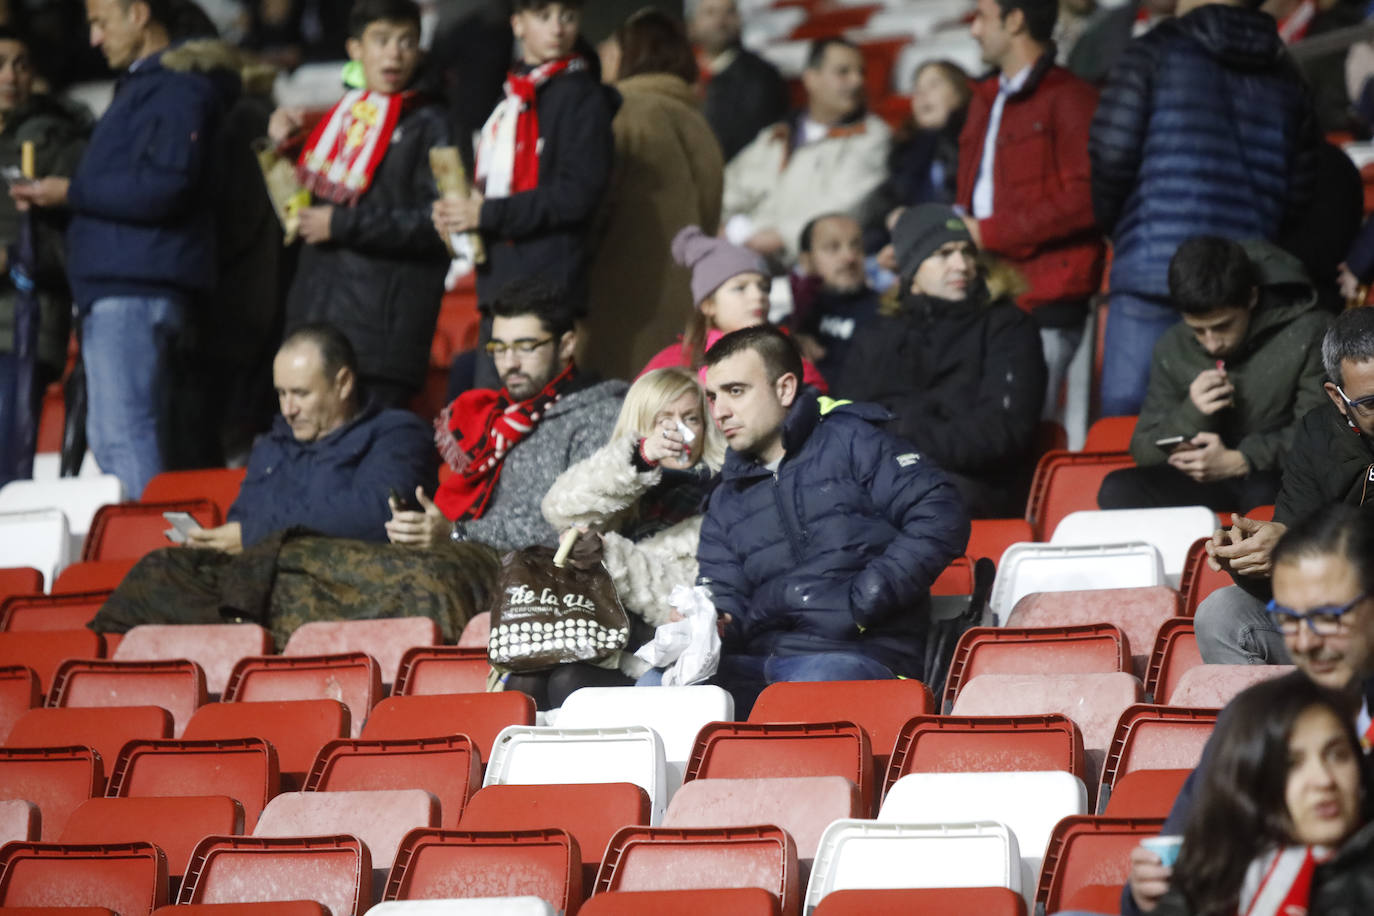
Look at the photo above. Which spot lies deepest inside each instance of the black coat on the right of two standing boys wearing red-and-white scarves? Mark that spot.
(543, 231)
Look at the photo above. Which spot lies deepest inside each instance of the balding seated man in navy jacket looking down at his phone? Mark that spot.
(333, 457)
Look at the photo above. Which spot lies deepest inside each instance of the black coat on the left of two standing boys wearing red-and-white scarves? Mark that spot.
(381, 275)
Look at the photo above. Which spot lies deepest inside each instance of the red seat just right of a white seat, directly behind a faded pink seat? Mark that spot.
(754, 751)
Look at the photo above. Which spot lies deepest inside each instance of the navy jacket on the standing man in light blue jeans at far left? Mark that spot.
(142, 218)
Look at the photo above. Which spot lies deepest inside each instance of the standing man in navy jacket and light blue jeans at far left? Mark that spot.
(142, 238)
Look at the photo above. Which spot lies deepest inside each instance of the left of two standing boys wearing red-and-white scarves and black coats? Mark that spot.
(372, 263)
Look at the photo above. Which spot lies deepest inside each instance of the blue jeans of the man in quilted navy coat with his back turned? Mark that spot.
(1134, 326)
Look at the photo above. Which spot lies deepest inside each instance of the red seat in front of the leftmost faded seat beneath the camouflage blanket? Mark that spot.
(178, 687)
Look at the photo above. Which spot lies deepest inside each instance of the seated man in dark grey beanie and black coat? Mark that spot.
(960, 367)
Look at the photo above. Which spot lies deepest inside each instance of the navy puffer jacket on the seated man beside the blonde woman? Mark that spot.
(837, 550)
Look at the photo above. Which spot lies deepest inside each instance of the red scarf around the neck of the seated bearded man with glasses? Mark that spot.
(476, 433)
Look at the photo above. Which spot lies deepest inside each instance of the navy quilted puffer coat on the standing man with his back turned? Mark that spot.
(1206, 127)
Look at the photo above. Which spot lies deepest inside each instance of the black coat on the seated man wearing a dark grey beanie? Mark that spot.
(965, 382)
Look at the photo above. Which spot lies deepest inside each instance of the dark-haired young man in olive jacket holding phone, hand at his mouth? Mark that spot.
(1228, 384)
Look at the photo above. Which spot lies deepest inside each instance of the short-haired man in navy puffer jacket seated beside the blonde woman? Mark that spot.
(826, 532)
